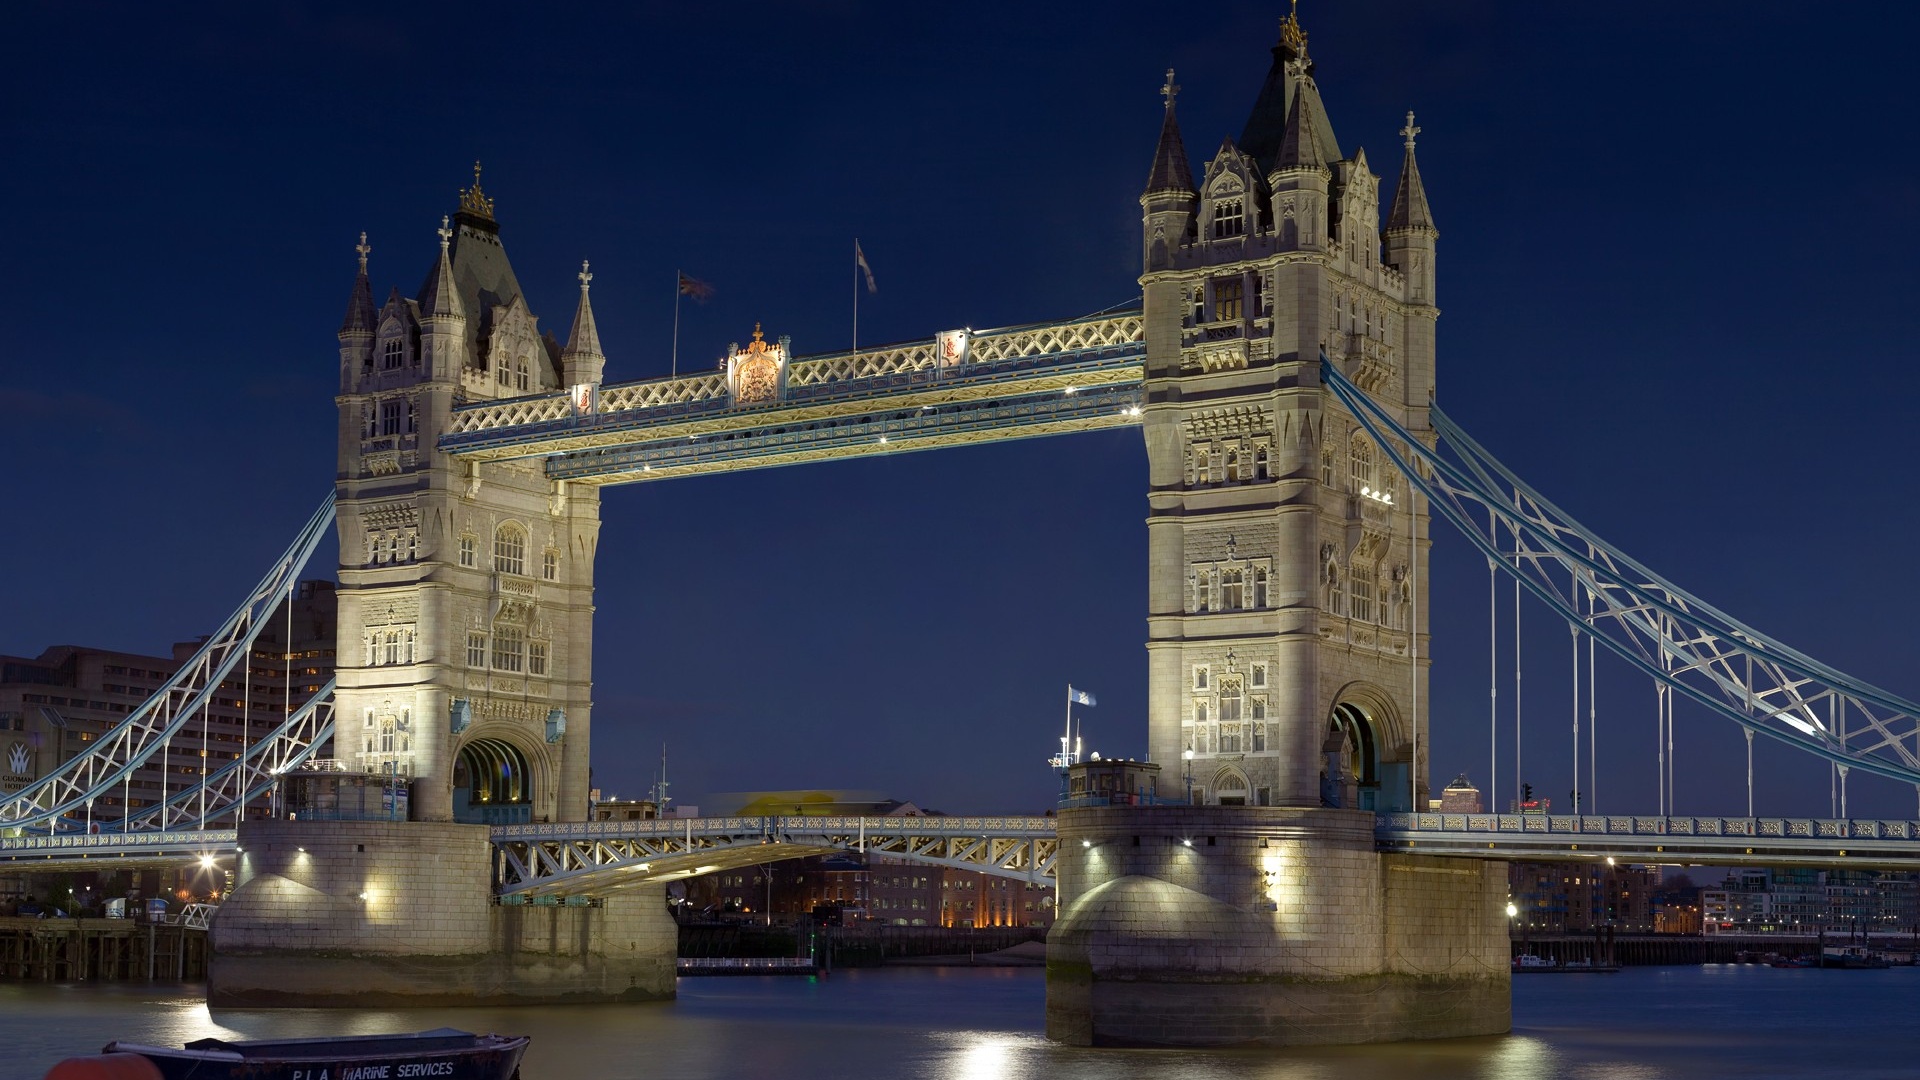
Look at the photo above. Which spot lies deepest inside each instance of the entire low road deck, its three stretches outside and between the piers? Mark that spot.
(592, 858)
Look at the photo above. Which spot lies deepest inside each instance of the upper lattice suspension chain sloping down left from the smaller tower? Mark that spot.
(62, 798)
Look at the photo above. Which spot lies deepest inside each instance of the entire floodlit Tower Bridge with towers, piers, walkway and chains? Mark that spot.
(1282, 368)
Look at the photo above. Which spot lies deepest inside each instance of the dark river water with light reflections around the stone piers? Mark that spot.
(1740, 1023)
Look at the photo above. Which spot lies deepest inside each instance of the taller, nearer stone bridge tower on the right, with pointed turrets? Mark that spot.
(1289, 560)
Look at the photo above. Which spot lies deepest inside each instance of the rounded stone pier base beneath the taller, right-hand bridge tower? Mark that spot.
(1212, 927)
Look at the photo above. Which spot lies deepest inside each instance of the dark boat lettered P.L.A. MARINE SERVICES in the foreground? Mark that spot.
(444, 1054)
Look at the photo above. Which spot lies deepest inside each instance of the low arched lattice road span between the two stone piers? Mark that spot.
(600, 856)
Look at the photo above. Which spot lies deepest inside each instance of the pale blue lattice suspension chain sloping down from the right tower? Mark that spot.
(1687, 645)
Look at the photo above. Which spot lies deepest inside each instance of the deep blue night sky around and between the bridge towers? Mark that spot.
(1675, 270)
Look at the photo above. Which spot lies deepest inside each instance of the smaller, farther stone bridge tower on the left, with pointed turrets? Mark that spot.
(466, 589)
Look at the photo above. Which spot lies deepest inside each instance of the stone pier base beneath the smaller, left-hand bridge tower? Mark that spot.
(400, 914)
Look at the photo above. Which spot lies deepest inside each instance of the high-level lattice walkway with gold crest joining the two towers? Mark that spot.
(992, 387)
